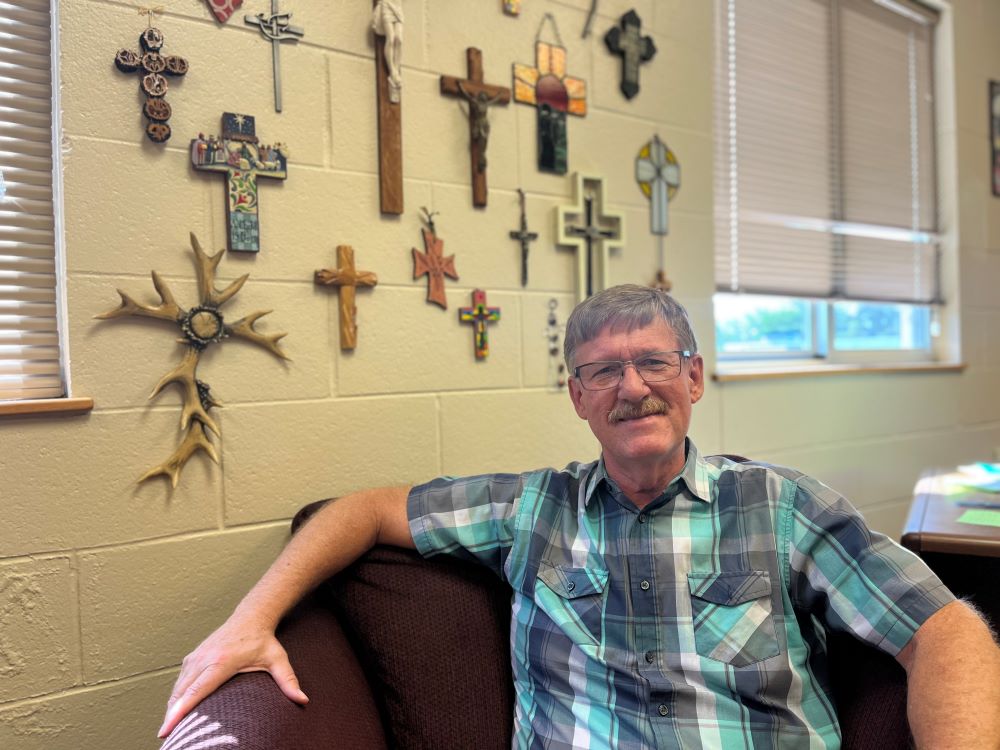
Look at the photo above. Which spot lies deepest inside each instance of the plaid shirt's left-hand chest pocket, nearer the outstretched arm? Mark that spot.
(574, 599)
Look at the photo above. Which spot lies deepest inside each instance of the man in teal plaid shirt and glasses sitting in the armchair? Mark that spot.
(661, 599)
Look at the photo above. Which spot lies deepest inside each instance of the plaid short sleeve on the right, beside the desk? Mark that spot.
(851, 578)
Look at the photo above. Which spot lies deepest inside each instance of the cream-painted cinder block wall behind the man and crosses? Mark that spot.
(104, 585)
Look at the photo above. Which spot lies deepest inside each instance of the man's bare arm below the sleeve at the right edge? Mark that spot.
(953, 681)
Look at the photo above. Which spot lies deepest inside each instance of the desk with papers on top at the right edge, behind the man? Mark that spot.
(966, 557)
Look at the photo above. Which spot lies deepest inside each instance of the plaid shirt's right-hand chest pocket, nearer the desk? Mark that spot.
(731, 612)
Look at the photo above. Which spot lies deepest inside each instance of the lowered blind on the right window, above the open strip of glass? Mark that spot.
(825, 181)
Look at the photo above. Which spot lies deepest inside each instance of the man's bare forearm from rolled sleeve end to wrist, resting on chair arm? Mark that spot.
(332, 539)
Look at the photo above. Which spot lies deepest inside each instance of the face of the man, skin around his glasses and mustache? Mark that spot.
(656, 440)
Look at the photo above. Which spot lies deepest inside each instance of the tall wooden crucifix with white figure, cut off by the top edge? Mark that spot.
(387, 24)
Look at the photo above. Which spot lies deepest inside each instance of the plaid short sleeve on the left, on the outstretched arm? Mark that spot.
(471, 517)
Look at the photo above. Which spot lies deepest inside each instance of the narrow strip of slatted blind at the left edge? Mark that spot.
(29, 337)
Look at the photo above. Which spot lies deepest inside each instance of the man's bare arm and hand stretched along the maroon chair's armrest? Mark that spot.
(332, 539)
